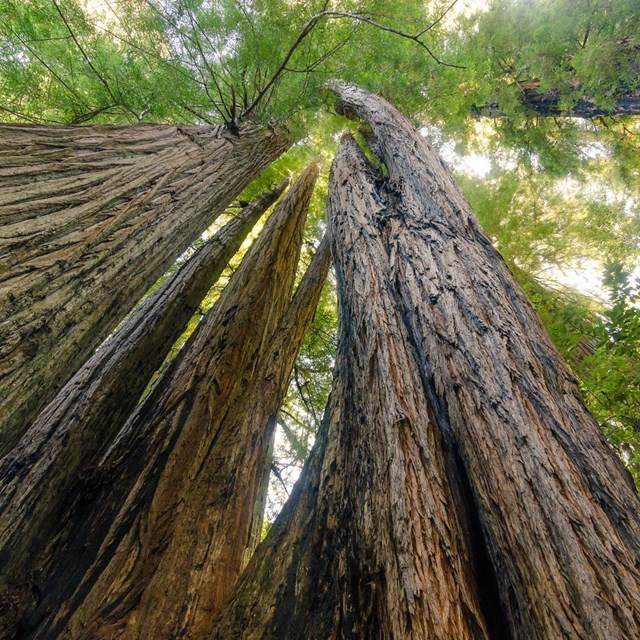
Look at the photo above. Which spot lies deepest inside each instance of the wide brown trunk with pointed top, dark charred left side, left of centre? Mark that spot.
(154, 555)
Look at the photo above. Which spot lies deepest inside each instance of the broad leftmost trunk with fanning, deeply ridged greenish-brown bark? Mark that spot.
(90, 218)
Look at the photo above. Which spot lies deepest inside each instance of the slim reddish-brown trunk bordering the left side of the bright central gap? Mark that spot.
(221, 537)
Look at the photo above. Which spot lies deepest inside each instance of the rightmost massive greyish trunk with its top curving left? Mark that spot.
(559, 515)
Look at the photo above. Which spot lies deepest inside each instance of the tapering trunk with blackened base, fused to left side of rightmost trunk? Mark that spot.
(372, 543)
